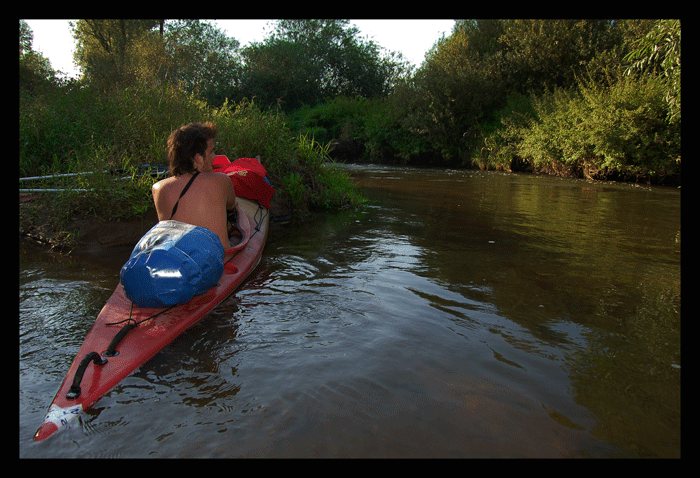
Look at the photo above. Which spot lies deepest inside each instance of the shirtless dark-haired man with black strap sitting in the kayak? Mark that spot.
(209, 194)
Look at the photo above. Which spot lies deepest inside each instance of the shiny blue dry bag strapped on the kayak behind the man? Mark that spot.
(172, 263)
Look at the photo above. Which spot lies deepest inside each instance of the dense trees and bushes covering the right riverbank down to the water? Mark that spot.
(594, 99)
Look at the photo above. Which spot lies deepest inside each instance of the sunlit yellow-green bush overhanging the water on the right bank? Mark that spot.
(598, 131)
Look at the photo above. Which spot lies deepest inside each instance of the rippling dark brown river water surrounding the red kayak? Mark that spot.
(459, 314)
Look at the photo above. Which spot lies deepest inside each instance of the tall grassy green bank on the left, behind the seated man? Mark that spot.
(74, 129)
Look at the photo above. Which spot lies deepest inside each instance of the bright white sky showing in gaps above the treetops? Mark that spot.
(413, 38)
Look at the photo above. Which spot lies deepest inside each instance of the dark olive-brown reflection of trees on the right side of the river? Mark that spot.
(547, 252)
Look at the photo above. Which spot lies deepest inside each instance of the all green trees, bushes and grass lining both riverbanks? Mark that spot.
(595, 99)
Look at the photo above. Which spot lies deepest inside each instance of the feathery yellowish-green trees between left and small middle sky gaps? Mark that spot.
(187, 54)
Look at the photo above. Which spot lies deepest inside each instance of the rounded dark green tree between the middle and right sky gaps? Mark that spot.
(307, 61)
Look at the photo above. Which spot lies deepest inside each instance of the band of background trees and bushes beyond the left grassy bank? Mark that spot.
(481, 96)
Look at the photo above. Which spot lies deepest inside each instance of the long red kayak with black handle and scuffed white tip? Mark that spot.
(125, 336)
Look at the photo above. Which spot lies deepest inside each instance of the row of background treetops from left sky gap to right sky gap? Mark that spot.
(302, 62)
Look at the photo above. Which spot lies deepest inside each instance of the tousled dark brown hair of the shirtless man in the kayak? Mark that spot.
(186, 142)
